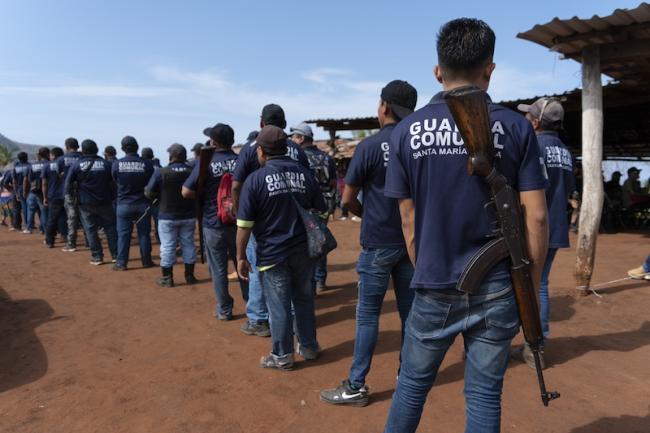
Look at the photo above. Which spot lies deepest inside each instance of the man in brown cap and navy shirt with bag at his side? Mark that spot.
(268, 209)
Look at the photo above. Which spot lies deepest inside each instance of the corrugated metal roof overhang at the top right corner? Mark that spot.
(570, 36)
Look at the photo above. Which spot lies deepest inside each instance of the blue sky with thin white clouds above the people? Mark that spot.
(164, 70)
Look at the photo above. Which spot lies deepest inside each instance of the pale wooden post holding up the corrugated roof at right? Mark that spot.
(592, 154)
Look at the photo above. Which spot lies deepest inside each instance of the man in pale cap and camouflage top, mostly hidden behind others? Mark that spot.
(324, 169)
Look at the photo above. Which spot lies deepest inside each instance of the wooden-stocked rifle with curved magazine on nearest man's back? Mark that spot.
(468, 106)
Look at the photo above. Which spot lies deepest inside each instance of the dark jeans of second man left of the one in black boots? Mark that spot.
(92, 218)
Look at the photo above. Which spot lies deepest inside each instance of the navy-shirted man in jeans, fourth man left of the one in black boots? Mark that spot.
(53, 182)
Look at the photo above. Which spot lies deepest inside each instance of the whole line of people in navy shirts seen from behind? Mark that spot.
(423, 219)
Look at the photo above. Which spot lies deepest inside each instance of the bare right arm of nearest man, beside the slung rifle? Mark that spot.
(533, 204)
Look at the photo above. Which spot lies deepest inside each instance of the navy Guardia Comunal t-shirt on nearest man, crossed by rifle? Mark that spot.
(428, 164)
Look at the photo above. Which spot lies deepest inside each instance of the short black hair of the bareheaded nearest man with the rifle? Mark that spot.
(464, 45)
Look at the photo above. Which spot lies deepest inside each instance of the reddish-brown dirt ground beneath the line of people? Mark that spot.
(84, 349)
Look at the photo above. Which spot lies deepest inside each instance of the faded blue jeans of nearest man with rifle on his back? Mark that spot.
(488, 322)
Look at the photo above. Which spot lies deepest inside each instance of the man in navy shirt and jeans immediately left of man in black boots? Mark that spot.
(131, 174)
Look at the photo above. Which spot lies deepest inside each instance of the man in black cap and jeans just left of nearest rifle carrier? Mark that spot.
(383, 253)
